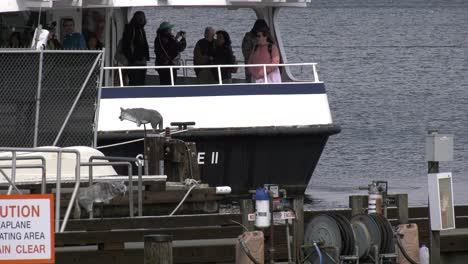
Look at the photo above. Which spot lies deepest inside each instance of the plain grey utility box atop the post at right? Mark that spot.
(439, 147)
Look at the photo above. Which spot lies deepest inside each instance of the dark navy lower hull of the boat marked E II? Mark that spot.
(246, 158)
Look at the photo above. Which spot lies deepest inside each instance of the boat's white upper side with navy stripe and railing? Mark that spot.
(219, 105)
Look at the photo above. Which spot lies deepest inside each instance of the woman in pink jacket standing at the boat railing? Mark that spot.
(265, 52)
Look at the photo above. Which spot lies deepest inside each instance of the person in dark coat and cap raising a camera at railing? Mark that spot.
(167, 48)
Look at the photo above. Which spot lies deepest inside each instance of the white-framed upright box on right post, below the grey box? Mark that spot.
(441, 204)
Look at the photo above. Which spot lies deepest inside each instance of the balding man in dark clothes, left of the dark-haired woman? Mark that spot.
(203, 55)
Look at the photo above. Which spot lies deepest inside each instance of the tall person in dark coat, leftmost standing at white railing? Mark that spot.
(135, 48)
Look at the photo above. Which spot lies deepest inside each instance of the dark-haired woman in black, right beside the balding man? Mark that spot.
(223, 55)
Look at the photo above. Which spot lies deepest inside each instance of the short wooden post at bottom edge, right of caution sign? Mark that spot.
(158, 249)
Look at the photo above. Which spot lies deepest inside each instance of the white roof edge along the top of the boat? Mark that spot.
(25, 5)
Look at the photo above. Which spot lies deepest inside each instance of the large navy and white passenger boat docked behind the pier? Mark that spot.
(248, 134)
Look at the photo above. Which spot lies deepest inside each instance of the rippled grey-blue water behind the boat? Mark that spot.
(393, 69)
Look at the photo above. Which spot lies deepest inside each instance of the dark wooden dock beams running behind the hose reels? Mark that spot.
(203, 238)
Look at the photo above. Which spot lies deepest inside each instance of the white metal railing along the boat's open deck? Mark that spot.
(171, 67)
